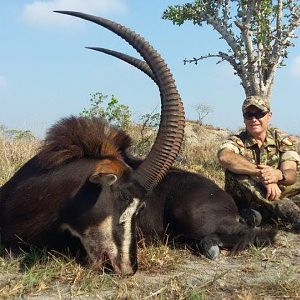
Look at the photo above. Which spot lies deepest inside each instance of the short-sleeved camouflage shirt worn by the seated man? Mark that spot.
(277, 148)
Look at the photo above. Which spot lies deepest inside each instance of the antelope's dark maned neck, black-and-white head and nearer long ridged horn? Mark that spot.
(79, 180)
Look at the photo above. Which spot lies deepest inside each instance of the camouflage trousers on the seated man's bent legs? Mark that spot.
(250, 193)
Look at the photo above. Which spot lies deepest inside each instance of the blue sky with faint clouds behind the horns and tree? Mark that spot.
(46, 73)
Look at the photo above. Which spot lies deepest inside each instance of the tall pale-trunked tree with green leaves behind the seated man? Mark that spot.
(257, 32)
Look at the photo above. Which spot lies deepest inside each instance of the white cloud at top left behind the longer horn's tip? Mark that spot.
(41, 12)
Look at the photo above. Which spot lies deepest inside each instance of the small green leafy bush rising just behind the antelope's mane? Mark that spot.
(109, 109)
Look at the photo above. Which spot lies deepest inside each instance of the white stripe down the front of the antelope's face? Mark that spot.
(126, 220)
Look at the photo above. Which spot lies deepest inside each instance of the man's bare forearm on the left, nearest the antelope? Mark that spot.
(236, 163)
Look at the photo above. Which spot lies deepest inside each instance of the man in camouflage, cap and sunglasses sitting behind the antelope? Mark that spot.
(261, 165)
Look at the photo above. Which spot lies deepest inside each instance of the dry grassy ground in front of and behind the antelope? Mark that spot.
(164, 272)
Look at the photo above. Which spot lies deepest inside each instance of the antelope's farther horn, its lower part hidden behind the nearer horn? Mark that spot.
(138, 63)
